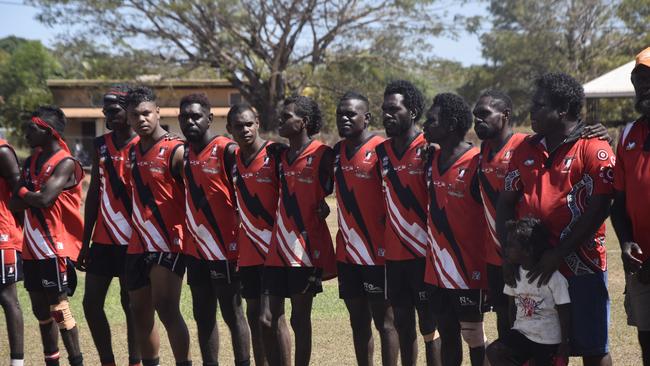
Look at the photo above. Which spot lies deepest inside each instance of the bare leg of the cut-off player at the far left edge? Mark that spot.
(14, 319)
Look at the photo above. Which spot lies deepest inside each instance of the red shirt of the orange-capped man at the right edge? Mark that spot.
(632, 176)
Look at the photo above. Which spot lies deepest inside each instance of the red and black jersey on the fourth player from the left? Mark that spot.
(157, 198)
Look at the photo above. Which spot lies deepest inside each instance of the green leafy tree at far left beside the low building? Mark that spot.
(23, 79)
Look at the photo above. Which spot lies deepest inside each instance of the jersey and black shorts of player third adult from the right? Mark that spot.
(493, 166)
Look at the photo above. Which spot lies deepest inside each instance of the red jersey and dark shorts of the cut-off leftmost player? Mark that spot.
(11, 235)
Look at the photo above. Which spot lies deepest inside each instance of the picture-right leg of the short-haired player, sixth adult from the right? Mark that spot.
(382, 315)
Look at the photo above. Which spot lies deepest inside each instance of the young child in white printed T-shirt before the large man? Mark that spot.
(541, 327)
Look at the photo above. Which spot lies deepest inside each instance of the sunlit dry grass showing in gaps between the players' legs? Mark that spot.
(332, 343)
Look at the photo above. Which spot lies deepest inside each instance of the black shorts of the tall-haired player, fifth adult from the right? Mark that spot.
(405, 283)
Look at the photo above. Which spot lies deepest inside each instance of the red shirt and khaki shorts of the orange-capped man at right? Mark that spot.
(632, 176)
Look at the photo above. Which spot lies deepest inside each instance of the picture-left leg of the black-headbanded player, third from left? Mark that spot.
(93, 304)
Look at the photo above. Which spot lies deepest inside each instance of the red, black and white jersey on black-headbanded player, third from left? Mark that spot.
(113, 224)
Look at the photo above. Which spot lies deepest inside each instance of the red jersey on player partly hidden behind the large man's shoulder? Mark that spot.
(493, 167)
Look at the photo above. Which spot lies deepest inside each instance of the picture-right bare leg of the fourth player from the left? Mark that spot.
(166, 288)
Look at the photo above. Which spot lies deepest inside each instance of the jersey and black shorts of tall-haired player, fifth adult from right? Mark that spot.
(405, 195)
